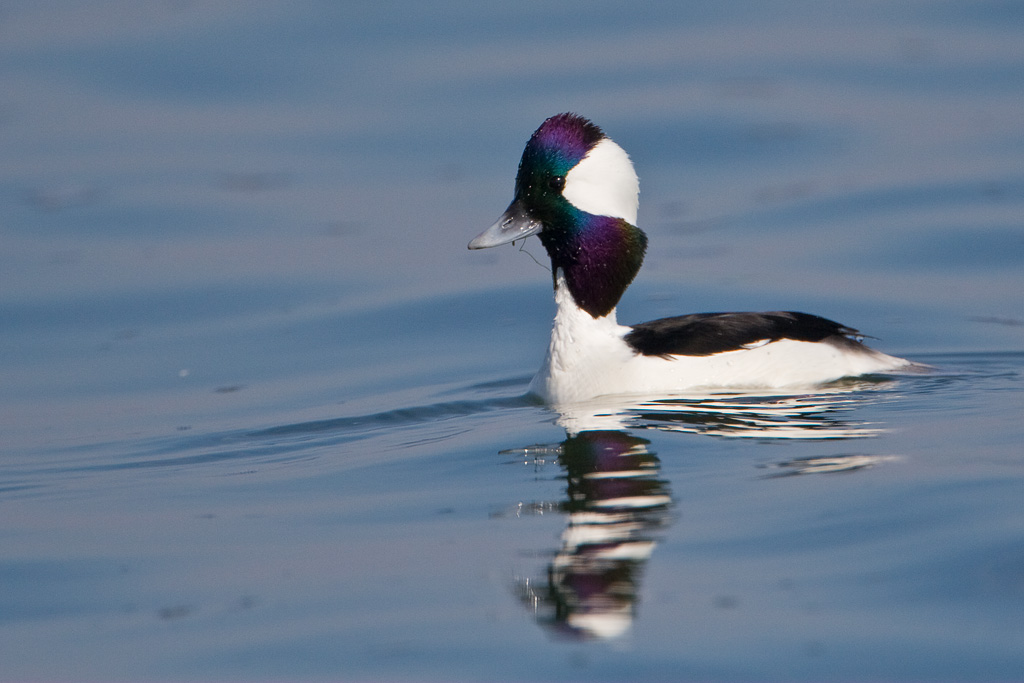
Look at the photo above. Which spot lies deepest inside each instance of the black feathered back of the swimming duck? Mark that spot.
(705, 334)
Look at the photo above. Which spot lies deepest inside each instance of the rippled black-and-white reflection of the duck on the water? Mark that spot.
(617, 501)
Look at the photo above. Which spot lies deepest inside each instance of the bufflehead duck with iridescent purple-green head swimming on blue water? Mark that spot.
(577, 191)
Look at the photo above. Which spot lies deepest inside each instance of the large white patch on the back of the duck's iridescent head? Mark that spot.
(605, 184)
